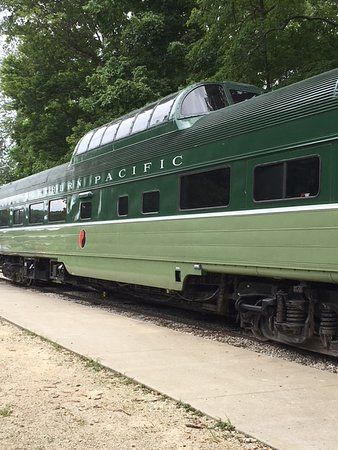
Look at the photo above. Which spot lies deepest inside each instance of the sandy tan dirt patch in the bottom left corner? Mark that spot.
(53, 399)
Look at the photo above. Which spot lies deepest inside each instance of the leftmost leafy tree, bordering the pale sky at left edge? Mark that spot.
(55, 50)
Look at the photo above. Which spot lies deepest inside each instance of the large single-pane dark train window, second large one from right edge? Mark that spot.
(209, 189)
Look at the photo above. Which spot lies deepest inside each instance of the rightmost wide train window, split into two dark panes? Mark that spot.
(297, 178)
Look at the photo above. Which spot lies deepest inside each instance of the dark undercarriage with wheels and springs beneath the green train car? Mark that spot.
(297, 313)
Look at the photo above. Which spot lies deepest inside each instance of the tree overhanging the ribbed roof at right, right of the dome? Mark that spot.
(264, 42)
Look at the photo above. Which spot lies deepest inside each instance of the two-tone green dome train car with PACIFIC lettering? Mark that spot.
(215, 195)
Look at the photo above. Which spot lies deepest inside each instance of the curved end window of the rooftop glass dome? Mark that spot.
(204, 99)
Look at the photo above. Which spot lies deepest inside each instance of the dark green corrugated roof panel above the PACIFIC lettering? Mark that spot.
(306, 98)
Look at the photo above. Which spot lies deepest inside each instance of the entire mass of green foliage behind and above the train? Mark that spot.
(76, 64)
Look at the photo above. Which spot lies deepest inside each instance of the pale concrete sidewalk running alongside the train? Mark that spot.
(284, 404)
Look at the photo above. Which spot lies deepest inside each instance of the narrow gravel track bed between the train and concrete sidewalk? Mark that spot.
(203, 324)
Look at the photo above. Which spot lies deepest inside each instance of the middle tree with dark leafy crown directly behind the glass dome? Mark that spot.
(143, 61)
